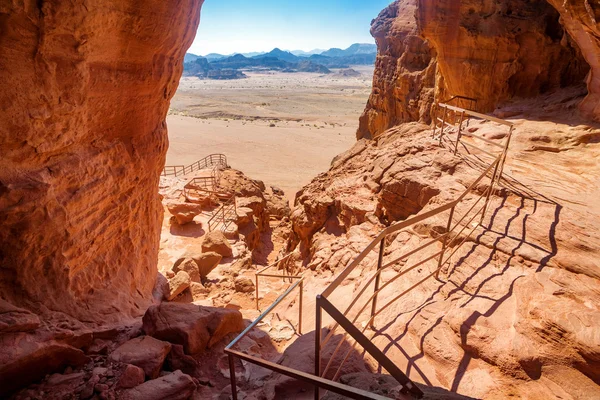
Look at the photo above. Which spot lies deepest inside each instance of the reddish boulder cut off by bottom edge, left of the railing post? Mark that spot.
(174, 386)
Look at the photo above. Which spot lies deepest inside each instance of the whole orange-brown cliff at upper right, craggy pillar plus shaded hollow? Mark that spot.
(489, 50)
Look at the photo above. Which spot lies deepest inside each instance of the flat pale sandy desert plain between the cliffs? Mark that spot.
(281, 128)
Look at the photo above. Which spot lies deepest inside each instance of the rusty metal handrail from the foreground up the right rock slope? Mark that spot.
(495, 168)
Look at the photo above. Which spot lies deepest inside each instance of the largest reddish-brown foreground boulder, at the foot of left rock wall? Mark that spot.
(194, 327)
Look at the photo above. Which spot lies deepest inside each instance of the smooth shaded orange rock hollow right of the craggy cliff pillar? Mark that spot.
(497, 50)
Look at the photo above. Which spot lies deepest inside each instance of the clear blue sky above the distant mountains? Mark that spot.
(229, 26)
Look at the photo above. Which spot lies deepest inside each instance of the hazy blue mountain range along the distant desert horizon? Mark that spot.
(218, 66)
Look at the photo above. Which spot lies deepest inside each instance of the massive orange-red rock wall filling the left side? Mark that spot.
(84, 92)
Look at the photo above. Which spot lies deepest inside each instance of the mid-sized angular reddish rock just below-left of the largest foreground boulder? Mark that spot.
(145, 352)
